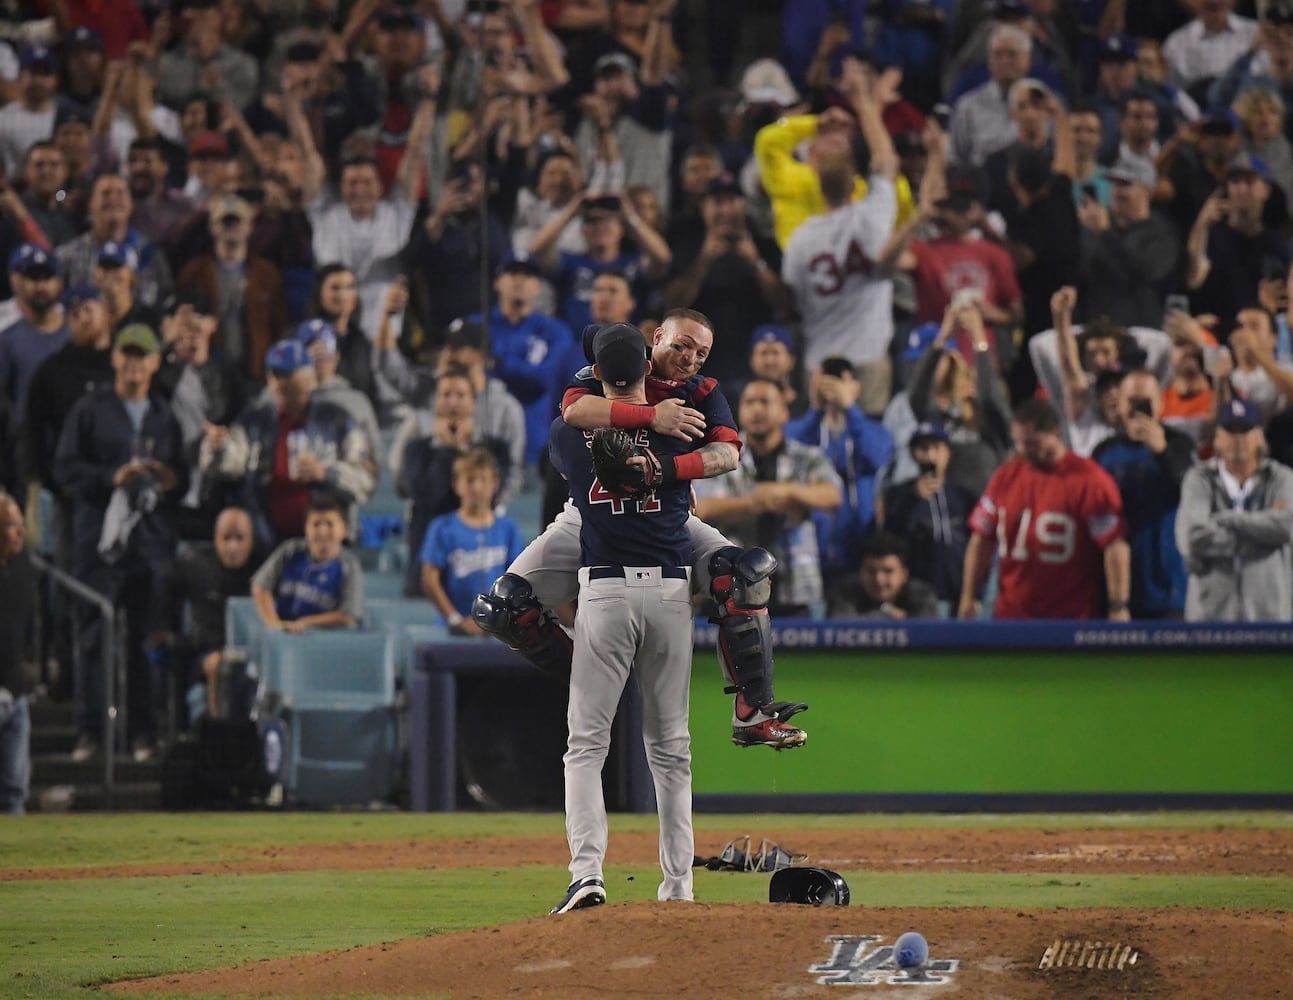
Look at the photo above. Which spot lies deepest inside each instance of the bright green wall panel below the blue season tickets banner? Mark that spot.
(1009, 723)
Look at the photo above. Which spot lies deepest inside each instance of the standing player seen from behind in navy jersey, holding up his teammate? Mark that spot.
(636, 613)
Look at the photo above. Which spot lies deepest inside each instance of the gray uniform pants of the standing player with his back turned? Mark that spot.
(639, 622)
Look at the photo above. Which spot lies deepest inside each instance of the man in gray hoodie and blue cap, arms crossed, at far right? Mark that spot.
(1235, 527)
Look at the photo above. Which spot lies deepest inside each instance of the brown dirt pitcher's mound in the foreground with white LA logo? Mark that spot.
(679, 950)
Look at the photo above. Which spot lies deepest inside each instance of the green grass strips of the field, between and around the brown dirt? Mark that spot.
(61, 937)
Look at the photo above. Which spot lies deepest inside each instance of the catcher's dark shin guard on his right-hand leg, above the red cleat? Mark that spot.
(740, 584)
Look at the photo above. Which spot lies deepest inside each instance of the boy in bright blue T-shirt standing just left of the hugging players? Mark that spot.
(467, 550)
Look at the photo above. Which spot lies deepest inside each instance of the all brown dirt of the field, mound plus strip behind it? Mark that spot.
(730, 950)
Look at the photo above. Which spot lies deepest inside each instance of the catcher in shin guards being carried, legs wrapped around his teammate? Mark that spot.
(682, 407)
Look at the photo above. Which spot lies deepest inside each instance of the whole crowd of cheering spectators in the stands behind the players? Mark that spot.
(999, 292)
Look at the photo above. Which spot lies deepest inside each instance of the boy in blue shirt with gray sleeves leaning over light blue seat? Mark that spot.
(312, 583)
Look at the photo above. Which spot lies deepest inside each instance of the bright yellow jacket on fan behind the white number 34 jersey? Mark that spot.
(793, 187)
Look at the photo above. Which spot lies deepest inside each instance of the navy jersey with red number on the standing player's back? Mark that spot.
(625, 532)
